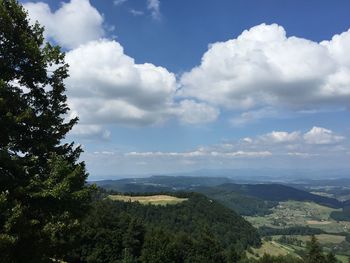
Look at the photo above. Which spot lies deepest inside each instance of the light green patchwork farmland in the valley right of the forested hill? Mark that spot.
(295, 213)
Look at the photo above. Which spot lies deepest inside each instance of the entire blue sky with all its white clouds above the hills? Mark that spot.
(164, 86)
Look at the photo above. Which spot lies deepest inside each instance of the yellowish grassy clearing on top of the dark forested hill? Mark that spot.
(153, 199)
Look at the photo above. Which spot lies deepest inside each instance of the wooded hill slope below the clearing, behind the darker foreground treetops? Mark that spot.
(194, 215)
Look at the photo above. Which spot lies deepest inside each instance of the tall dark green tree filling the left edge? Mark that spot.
(43, 189)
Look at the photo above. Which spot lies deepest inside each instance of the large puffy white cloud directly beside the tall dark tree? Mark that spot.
(107, 86)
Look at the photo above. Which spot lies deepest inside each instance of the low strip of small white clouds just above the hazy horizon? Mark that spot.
(317, 141)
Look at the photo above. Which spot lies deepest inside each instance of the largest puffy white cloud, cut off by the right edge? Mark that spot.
(263, 67)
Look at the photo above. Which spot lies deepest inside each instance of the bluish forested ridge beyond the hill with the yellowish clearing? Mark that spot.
(246, 199)
